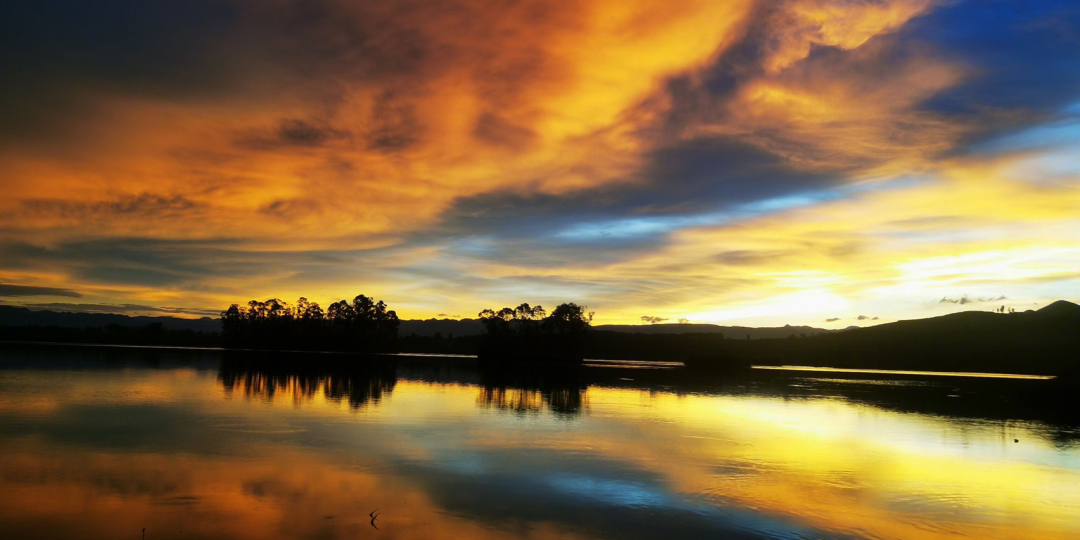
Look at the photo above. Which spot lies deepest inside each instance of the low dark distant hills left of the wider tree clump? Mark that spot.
(11, 316)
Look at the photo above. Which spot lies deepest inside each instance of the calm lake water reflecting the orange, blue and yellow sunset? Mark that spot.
(99, 443)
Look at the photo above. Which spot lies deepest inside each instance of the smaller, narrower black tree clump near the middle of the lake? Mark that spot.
(529, 333)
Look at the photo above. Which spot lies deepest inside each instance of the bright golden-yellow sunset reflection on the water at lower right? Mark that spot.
(847, 468)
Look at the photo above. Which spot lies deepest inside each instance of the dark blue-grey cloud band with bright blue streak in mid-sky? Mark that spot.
(700, 183)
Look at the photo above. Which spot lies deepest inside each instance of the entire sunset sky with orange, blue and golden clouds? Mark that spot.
(821, 163)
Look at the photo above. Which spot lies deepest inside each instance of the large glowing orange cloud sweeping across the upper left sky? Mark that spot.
(469, 99)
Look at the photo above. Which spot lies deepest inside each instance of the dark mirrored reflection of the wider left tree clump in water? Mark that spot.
(303, 379)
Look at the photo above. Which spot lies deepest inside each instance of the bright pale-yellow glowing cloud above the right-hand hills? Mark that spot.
(969, 226)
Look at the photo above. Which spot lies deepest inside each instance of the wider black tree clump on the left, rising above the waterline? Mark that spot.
(364, 326)
